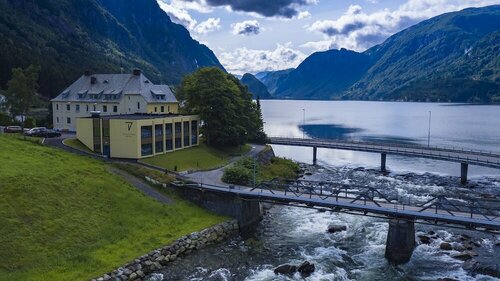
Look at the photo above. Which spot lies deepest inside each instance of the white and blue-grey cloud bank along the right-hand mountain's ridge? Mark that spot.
(358, 30)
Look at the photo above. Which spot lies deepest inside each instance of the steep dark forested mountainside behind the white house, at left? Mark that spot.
(67, 37)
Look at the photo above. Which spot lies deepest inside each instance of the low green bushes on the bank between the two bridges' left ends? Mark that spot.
(242, 172)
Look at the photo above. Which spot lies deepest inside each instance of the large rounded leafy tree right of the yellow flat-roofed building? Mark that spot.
(230, 116)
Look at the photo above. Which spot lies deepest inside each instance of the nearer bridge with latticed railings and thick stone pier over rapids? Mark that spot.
(469, 213)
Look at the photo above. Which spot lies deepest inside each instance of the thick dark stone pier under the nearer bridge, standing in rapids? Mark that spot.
(400, 241)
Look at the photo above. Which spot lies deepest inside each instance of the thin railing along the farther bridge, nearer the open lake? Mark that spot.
(393, 144)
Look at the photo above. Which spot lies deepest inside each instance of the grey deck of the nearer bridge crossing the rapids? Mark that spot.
(432, 214)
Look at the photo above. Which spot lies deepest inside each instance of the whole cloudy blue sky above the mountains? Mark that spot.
(260, 35)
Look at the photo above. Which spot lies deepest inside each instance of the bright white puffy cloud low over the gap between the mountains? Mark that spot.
(244, 60)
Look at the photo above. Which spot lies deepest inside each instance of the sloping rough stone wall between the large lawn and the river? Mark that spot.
(160, 258)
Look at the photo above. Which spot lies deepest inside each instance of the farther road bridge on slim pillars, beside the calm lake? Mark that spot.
(465, 157)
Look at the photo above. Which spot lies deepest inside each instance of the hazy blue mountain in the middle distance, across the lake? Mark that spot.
(324, 75)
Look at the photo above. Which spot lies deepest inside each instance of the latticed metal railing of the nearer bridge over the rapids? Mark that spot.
(364, 195)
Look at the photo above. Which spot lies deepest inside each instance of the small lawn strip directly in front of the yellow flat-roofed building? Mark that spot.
(200, 157)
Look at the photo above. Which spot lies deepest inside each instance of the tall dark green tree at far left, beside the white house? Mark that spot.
(21, 91)
